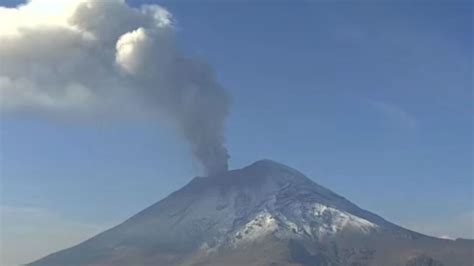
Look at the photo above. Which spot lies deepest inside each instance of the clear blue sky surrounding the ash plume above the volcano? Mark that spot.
(373, 100)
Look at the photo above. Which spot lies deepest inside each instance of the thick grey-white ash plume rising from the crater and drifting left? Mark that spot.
(88, 58)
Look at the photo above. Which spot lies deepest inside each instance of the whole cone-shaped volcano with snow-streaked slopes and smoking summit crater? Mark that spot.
(264, 214)
